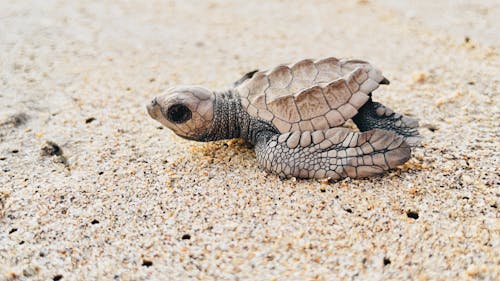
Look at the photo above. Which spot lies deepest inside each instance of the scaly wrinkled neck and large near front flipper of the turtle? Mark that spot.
(334, 153)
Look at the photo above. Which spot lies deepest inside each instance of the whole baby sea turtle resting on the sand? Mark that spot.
(293, 115)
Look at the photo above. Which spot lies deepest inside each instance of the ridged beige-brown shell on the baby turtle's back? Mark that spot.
(310, 95)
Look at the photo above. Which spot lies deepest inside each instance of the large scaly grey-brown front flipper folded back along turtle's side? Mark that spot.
(335, 153)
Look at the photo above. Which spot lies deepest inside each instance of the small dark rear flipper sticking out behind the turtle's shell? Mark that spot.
(374, 115)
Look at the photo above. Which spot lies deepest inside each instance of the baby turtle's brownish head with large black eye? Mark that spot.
(186, 110)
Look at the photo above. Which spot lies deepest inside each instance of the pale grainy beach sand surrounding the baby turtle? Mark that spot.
(130, 201)
